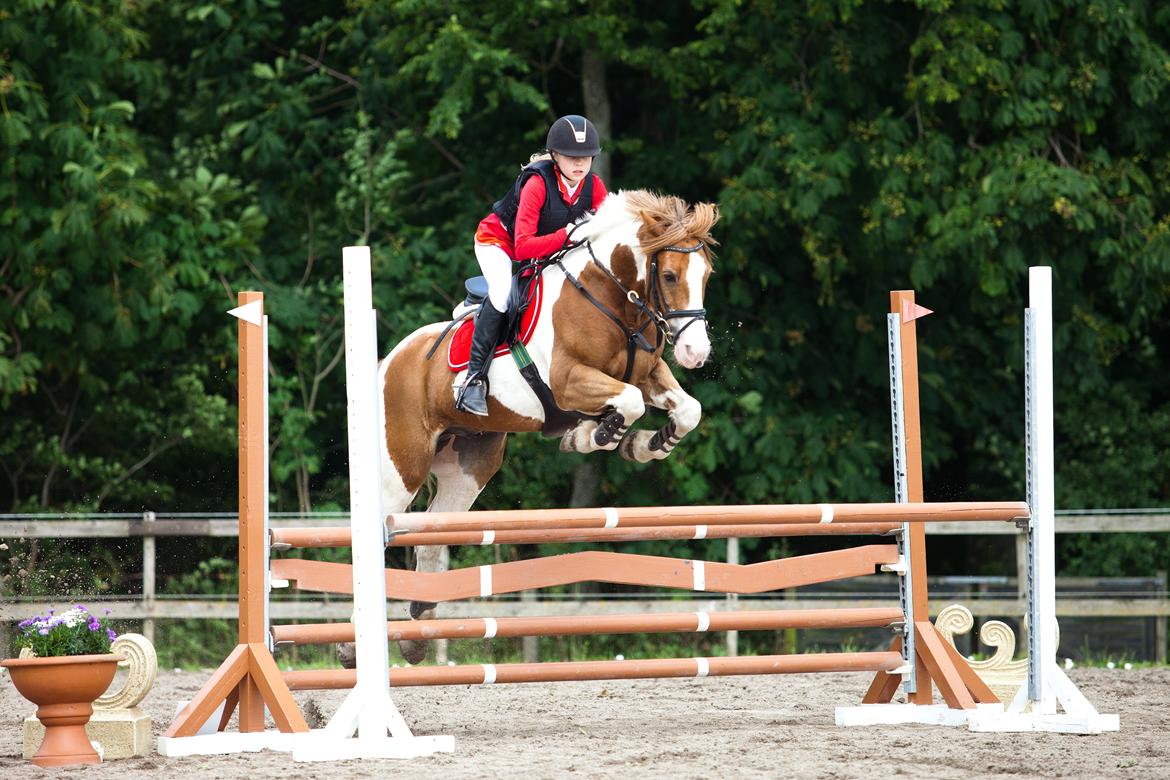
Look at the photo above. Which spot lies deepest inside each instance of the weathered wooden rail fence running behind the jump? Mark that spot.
(149, 606)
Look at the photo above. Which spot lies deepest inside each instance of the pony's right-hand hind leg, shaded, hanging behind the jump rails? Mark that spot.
(463, 467)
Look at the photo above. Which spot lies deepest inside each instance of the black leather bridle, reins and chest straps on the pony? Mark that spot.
(653, 309)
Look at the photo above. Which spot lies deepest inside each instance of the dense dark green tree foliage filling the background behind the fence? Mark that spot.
(161, 156)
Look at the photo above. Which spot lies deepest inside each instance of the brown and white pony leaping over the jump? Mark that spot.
(579, 350)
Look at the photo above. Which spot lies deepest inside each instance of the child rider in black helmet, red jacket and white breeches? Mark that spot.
(552, 192)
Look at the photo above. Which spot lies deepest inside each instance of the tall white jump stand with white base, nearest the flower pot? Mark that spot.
(361, 726)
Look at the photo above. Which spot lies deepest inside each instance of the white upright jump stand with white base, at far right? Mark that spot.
(1035, 707)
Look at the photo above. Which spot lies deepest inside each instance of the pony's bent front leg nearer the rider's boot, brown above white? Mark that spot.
(586, 390)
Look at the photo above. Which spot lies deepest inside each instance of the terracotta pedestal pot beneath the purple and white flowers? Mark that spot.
(64, 689)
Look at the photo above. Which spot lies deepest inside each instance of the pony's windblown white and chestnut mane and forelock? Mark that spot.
(669, 217)
